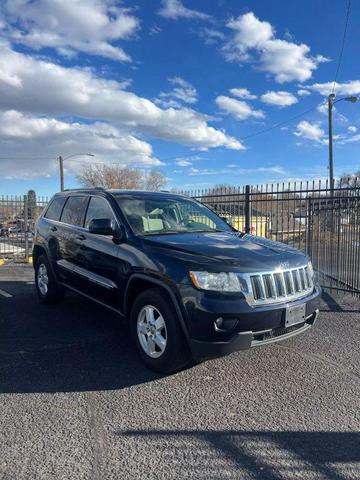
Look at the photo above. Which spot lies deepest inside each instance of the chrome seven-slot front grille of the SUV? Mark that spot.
(279, 286)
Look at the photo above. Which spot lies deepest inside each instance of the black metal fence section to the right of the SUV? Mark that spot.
(323, 222)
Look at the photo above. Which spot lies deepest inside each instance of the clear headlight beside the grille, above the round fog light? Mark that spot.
(219, 282)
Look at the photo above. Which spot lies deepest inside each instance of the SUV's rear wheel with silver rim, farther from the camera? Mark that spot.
(48, 288)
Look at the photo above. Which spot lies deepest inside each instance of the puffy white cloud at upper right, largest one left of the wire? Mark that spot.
(283, 59)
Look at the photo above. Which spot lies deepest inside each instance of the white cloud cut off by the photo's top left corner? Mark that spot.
(90, 26)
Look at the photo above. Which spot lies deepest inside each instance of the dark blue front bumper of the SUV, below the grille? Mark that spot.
(254, 326)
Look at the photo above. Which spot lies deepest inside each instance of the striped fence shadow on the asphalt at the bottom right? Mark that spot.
(256, 454)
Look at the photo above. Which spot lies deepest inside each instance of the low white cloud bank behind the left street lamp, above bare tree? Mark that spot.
(34, 142)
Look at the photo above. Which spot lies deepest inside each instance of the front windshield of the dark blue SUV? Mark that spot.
(164, 215)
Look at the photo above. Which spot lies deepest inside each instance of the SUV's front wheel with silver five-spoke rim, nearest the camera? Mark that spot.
(157, 333)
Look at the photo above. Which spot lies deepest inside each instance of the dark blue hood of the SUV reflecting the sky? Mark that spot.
(247, 253)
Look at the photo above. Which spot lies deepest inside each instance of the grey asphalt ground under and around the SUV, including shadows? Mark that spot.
(76, 403)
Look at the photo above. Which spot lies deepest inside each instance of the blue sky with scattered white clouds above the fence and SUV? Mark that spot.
(175, 86)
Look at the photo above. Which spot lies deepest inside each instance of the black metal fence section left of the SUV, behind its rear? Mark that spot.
(17, 220)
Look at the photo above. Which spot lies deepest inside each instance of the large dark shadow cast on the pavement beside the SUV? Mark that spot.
(75, 345)
